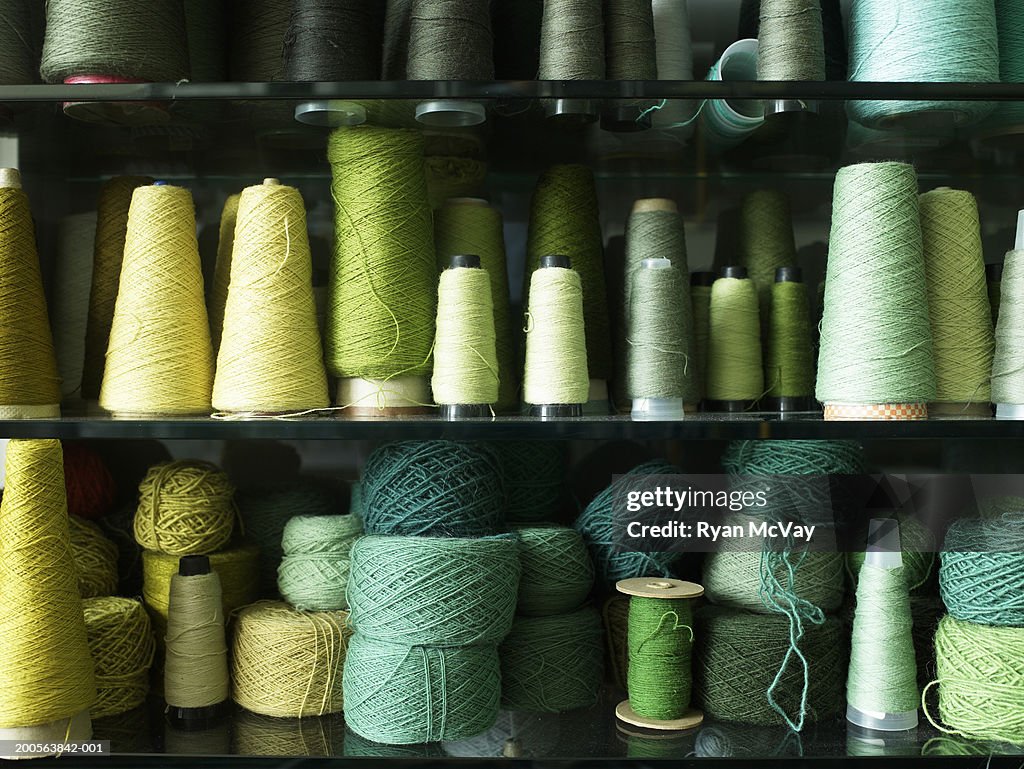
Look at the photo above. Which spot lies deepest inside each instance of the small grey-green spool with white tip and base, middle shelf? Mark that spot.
(659, 347)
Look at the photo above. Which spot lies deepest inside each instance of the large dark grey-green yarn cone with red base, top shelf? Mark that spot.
(104, 42)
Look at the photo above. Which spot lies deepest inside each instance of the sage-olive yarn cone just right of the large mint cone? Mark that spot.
(958, 303)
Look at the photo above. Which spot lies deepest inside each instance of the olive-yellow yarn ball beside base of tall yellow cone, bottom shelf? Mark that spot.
(122, 647)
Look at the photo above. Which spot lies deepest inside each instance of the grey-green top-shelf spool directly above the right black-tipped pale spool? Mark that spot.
(572, 49)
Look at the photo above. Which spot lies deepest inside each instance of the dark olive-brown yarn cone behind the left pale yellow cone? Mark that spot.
(108, 255)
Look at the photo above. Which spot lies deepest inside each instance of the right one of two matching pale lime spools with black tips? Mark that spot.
(556, 382)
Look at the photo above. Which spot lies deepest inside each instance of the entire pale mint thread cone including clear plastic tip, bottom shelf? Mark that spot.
(882, 685)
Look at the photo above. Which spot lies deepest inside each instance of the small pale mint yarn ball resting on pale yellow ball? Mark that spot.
(314, 572)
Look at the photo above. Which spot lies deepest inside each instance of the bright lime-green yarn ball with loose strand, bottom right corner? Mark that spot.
(980, 675)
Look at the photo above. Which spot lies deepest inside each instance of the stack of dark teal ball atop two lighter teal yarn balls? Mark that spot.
(433, 592)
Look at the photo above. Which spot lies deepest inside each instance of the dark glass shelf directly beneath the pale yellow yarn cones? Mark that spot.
(697, 428)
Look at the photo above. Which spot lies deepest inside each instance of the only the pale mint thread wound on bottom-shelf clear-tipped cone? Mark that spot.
(883, 675)
